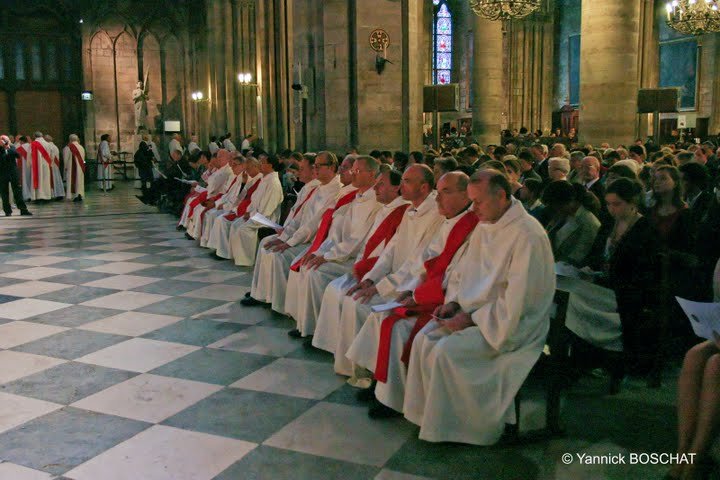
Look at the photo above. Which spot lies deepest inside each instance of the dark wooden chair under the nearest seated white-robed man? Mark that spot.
(552, 367)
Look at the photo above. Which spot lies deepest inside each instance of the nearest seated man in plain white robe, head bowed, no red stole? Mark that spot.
(466, 369)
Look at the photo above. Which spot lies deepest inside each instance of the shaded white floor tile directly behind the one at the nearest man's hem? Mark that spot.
(296, 378)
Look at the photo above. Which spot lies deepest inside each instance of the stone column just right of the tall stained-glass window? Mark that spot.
(487, 89)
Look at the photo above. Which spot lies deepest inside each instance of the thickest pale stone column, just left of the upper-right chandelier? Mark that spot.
(609, 59)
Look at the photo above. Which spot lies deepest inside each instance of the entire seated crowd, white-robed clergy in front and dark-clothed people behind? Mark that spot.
(431, 277)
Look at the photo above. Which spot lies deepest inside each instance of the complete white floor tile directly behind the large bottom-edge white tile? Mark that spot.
(148, 398)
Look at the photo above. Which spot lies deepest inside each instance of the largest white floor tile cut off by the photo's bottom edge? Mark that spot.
(164, 453)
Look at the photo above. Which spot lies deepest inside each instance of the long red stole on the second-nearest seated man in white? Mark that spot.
(428, 295)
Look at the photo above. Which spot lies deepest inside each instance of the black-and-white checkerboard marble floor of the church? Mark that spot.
(124, 354)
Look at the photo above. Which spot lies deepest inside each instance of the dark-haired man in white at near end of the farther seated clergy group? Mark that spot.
(267, 202)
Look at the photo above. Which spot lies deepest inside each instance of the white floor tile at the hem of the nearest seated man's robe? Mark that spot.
(323, 430)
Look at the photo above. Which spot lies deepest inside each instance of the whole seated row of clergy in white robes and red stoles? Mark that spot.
(434, 299)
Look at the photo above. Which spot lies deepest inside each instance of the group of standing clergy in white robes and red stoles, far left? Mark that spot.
(39, 163)
